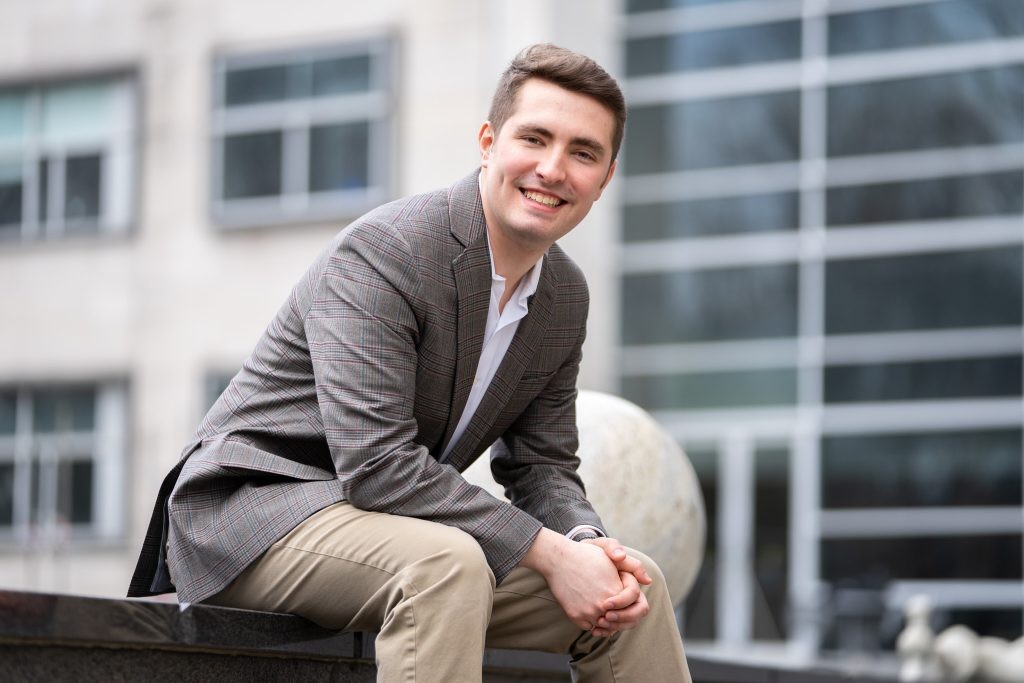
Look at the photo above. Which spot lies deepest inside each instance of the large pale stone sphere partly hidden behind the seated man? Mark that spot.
(639, 482)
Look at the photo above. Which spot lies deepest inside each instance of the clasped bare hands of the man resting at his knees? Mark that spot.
(595, 581)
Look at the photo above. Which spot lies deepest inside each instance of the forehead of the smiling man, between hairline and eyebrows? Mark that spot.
(543, 103)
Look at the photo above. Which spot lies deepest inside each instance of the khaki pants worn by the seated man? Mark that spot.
(426, 589)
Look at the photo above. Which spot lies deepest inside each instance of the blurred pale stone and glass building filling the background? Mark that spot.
(809, 266)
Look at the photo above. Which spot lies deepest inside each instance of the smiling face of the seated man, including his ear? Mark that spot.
(546, 167)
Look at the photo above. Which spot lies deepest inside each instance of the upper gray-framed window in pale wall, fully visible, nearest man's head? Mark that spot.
(303, 136)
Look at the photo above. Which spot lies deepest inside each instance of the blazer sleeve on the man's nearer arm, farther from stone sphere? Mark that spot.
(362, 329)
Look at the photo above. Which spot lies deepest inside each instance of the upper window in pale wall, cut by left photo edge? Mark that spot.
(66, 159)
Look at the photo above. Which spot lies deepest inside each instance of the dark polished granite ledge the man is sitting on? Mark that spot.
(49, 637)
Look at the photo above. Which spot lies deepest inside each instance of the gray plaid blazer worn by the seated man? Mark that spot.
(355, 390)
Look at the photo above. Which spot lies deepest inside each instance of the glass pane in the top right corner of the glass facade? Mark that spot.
(926, 24)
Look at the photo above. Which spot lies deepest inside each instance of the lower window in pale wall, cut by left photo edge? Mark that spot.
(61, 463)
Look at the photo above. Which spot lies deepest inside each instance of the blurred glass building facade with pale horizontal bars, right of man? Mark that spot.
(822, 285)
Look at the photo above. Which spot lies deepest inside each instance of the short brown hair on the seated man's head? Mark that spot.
(566, 69)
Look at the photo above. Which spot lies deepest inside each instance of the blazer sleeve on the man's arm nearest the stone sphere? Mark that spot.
(536, 459)
